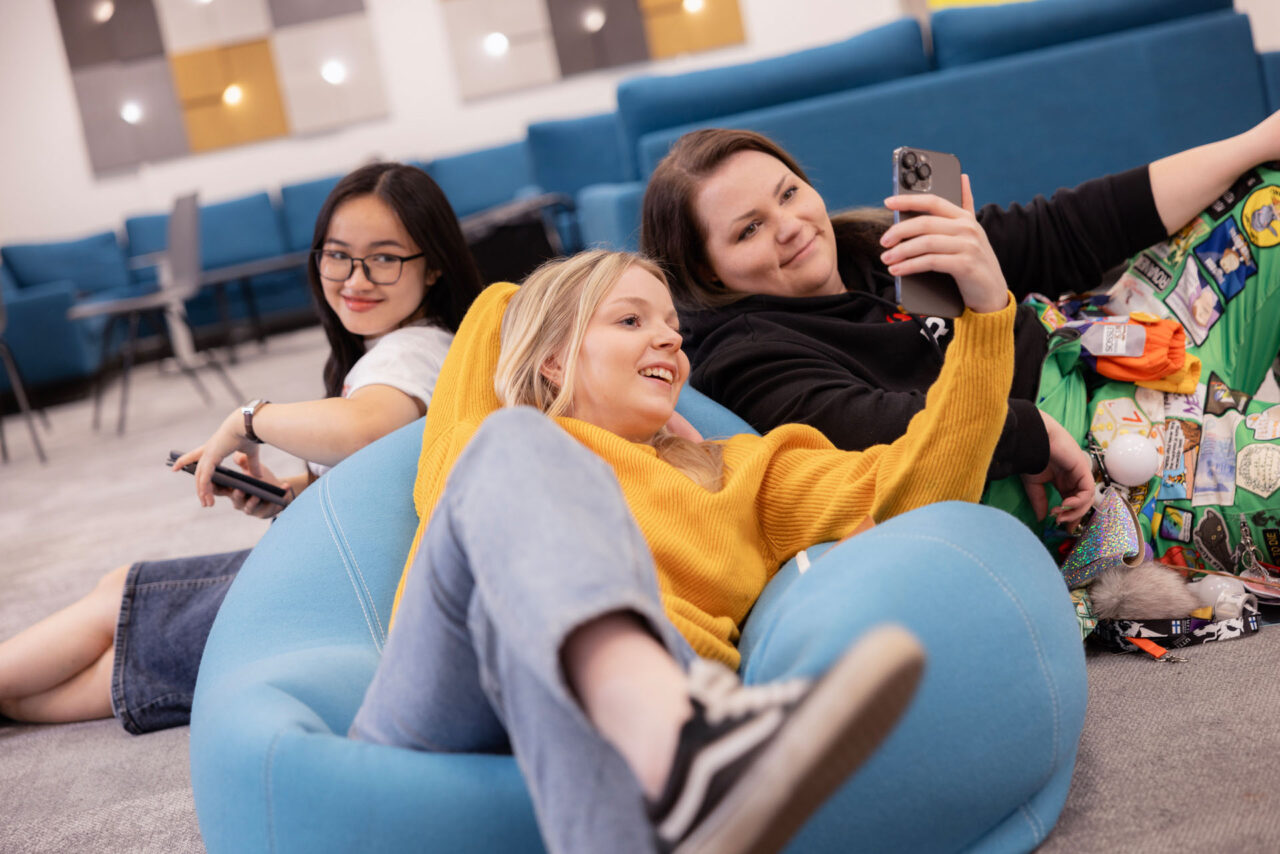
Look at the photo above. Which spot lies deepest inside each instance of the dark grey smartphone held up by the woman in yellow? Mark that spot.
(927, 294)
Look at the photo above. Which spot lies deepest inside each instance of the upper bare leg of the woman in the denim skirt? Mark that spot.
(63, 645)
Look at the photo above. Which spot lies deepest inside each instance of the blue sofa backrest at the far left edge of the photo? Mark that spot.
(95, 263)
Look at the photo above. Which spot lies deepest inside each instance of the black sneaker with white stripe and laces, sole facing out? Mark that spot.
(753, 764)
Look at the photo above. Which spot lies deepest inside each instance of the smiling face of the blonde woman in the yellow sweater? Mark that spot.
(630, 368)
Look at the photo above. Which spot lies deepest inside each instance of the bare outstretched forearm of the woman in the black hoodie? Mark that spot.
(1187, 182)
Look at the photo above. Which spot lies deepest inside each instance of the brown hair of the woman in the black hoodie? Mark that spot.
(673, 234)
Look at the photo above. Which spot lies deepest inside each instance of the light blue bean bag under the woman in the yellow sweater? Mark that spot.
(981, 762)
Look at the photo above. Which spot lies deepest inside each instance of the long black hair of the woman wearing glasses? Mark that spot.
(431, 222)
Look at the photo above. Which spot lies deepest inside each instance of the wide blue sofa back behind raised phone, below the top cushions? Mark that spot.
(1028, 124)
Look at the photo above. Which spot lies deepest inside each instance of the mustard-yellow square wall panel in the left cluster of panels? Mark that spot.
(202, 77)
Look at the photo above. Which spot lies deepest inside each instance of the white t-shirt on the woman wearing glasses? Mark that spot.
(408, 359)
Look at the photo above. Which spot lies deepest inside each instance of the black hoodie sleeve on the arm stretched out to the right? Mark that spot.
(1067, 244)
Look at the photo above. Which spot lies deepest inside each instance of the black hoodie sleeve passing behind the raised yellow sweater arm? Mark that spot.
(783, 382)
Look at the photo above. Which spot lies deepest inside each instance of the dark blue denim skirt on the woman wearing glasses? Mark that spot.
(167, 611)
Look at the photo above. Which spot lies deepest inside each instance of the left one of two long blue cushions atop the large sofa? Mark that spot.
(651, 104)
